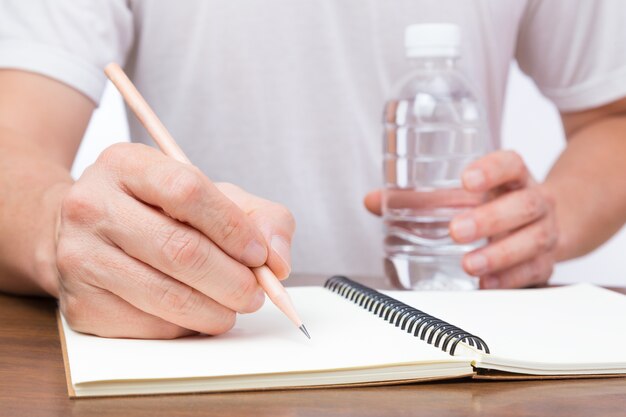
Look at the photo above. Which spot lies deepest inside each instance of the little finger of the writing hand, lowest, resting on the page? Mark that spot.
(95, 311)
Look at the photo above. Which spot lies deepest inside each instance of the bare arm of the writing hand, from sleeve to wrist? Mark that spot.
(41, 124)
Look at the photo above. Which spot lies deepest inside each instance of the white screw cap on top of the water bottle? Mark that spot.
(432, 40)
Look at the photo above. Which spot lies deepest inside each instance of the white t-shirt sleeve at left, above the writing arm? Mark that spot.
(68, 40)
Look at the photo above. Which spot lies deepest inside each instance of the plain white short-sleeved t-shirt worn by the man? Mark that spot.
(285, 98)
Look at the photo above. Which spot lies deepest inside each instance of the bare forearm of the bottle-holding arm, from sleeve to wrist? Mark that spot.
(588, 185)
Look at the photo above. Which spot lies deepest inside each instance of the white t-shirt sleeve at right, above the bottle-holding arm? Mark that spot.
(575, 51)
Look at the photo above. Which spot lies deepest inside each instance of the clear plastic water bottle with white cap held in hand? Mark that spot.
(434, 126)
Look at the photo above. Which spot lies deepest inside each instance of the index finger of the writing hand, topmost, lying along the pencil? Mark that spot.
(185, 194)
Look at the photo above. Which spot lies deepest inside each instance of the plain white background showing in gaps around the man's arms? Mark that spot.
(531, 126)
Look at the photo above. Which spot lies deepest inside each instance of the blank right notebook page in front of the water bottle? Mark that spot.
(579, 326)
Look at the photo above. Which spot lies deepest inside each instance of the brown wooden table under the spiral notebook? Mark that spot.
(32, 383)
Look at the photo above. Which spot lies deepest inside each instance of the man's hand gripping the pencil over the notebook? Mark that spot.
(148, 247)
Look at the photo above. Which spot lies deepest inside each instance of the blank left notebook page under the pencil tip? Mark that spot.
(343, 335)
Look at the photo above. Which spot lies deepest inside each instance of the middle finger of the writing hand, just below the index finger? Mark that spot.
(180, 251)
